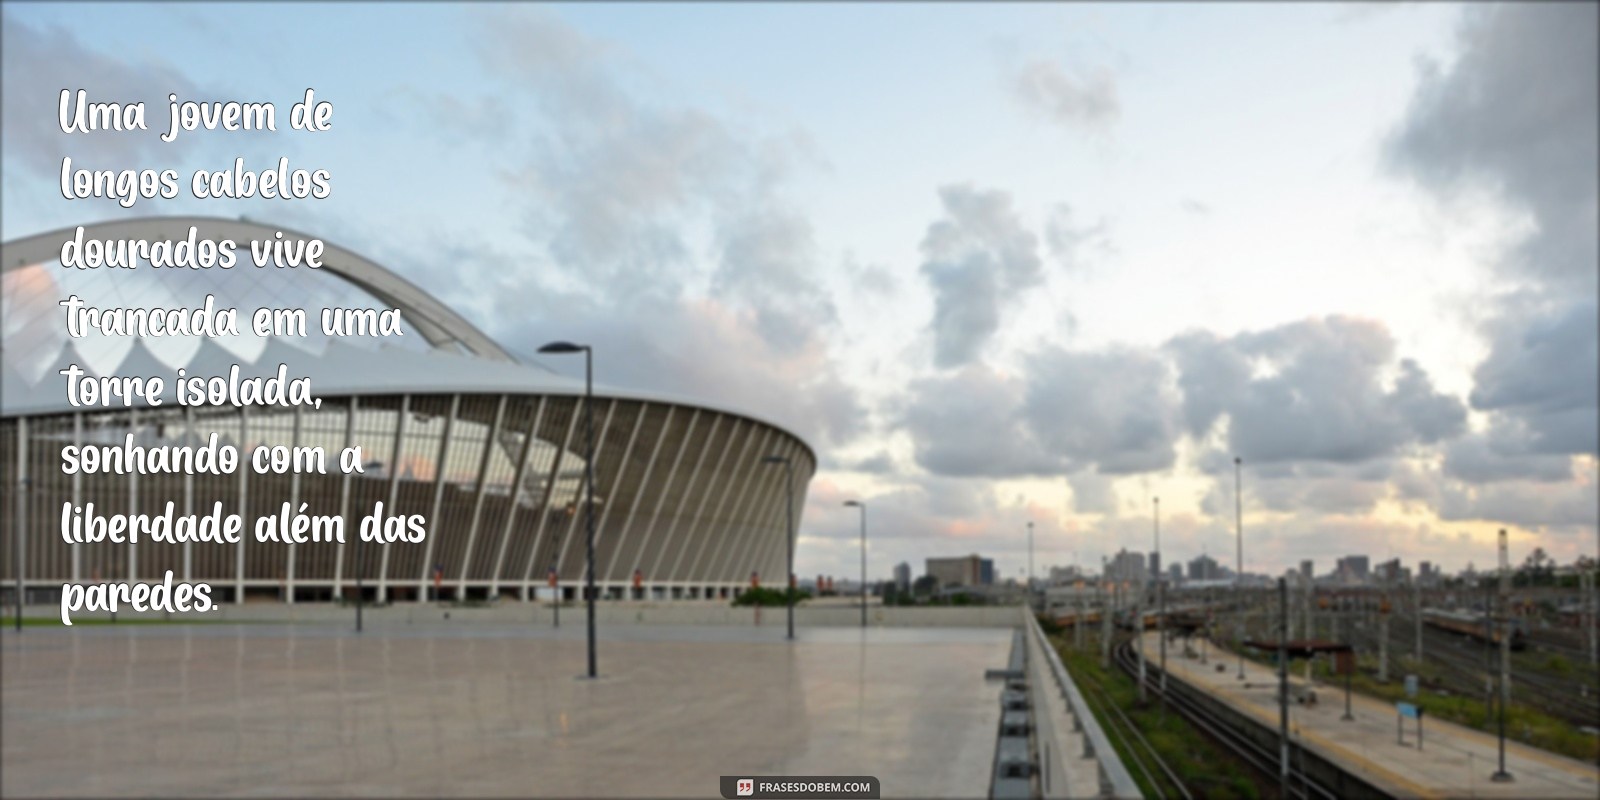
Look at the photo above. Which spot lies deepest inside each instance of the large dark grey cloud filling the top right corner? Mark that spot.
(1518, 113)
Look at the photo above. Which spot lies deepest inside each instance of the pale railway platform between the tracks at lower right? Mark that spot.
(1454, 761)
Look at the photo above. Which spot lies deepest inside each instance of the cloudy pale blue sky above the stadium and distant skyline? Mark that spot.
(999, 265)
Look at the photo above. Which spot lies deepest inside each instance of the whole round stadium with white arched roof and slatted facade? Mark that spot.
(450, 425)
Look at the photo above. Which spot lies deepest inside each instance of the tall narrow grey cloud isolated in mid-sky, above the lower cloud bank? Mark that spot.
(978, 260)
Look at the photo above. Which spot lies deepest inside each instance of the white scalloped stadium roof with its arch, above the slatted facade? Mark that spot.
(441, 354)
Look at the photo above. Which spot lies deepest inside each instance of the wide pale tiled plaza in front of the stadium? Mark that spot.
(490, 710)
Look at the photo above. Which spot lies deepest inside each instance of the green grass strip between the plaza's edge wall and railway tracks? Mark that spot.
(1206, 767)
